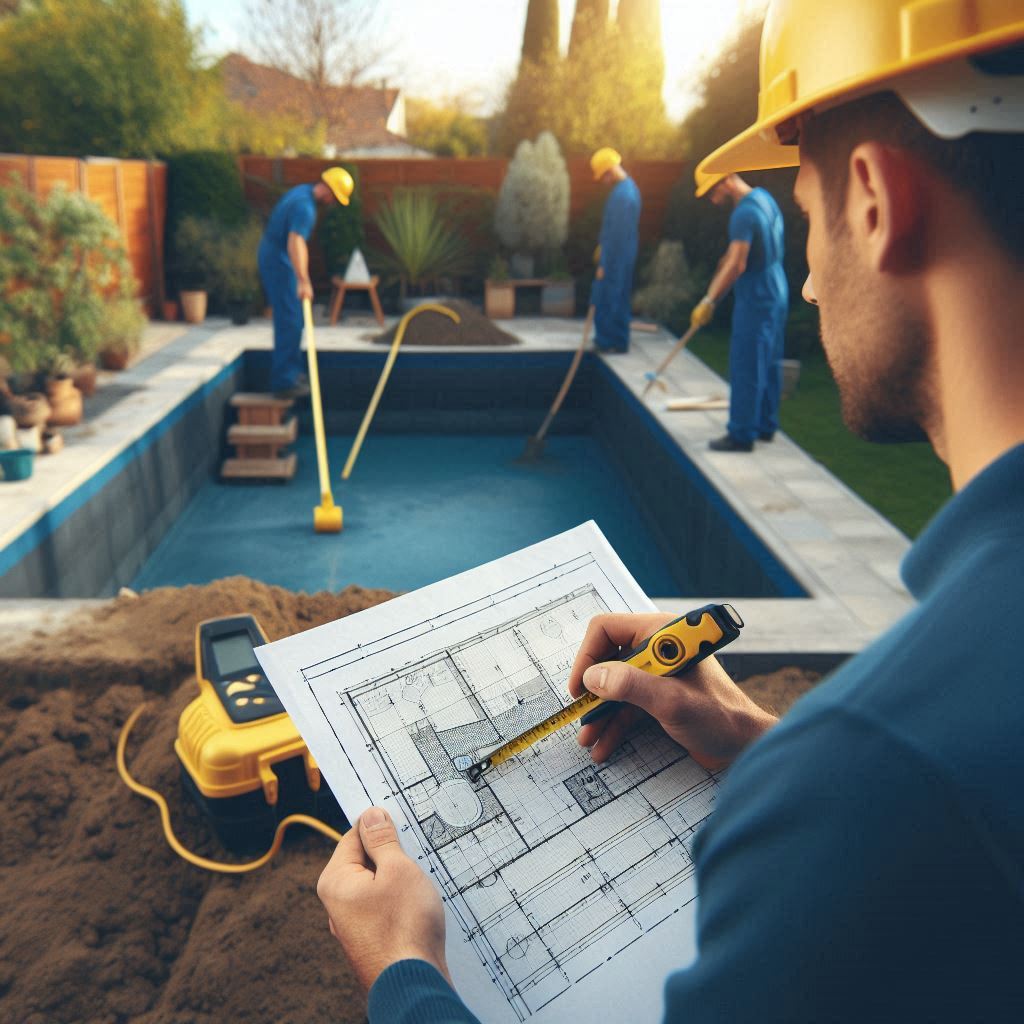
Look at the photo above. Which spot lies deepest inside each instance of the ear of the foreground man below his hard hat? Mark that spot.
(885, 207)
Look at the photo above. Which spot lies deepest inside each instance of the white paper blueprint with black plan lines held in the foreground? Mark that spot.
(569, 886)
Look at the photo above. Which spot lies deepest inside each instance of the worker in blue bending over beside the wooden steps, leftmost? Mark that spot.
(284, 267)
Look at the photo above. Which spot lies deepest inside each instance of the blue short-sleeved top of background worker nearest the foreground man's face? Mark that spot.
(758, 222)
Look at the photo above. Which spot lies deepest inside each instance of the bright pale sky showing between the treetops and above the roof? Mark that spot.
(471, 49)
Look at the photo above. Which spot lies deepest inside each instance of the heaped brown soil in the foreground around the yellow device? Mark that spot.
(100, 921)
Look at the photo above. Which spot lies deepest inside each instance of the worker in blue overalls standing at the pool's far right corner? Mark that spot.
(617, 250)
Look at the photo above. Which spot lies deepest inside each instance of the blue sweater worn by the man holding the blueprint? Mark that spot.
(867, 859)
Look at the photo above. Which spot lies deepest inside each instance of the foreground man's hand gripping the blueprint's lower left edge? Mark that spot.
(381, 907)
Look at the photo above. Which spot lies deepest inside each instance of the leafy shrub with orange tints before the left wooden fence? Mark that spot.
(62, 266)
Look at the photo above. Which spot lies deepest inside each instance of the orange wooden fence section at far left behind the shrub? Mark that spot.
(132, 193)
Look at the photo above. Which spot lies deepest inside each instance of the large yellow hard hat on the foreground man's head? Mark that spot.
(816, 56)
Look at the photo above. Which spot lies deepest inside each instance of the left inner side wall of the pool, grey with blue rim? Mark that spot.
(96, 540)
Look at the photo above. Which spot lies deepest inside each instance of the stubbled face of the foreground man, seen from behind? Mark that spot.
(876, 347)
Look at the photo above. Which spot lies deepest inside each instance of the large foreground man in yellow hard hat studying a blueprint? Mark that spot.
(866, 858)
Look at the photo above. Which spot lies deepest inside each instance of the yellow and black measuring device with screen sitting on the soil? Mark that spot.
(242, 757)
